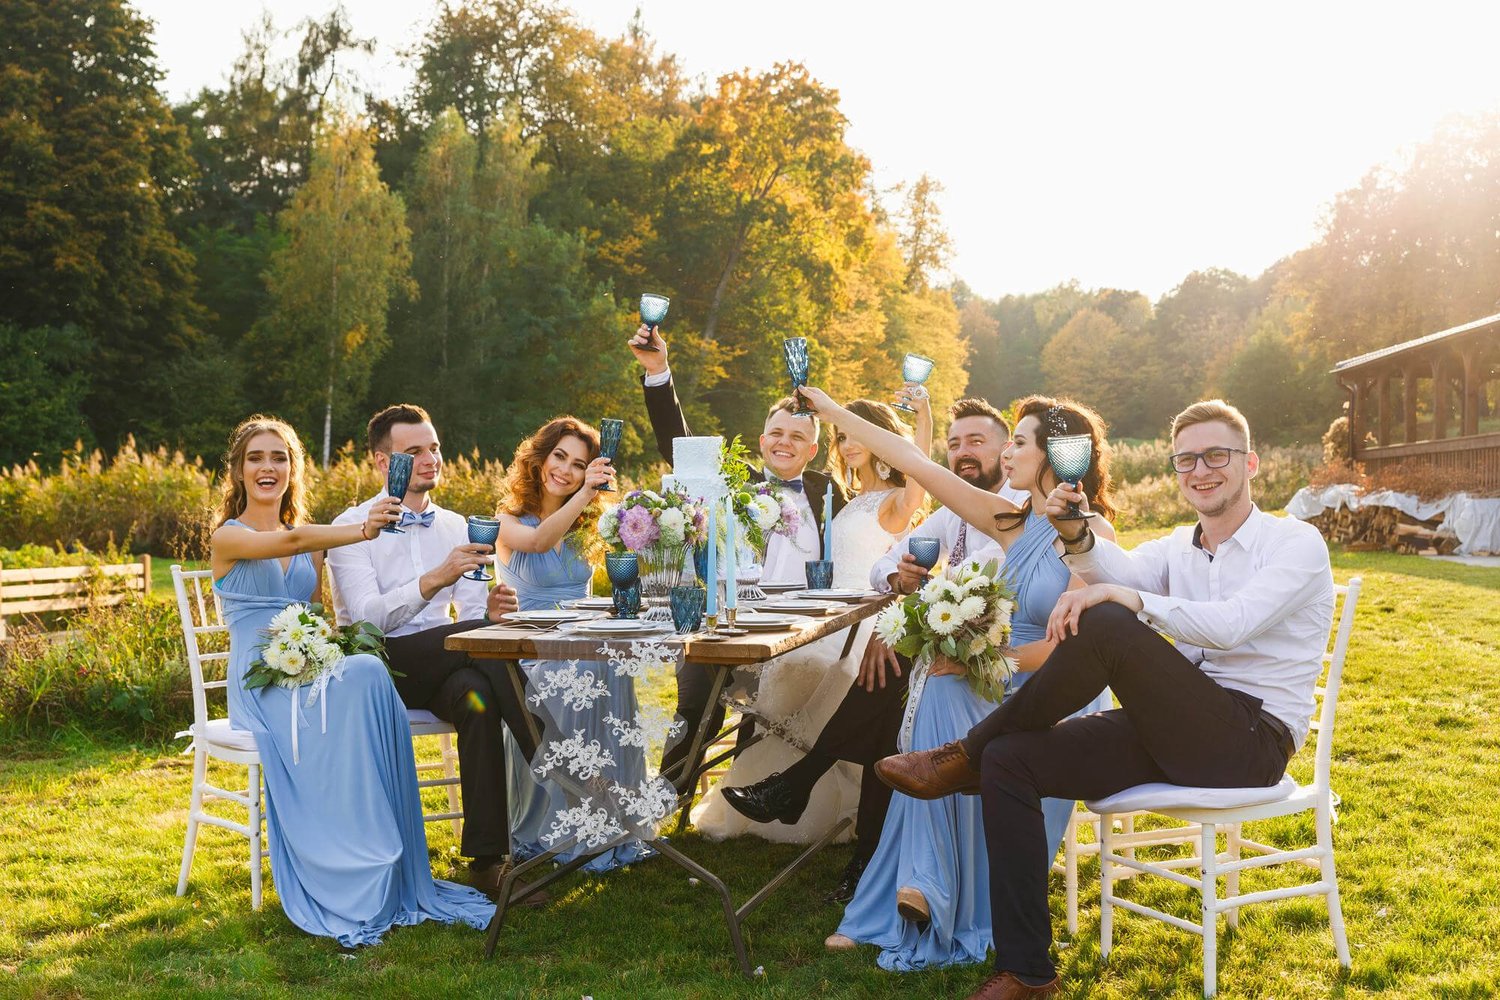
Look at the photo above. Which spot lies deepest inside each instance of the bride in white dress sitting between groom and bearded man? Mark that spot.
(800, 692)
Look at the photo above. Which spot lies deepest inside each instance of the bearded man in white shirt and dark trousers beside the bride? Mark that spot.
(866, 725)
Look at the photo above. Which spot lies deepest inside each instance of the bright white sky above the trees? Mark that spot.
(1112, 143)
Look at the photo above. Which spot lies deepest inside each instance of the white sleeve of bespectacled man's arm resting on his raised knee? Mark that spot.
(1295, 573)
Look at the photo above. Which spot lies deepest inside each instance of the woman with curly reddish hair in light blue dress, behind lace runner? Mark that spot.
(551, 504)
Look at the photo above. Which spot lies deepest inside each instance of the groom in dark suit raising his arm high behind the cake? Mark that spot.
(787, 446)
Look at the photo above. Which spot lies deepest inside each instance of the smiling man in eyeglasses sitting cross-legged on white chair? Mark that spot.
(1249, 600)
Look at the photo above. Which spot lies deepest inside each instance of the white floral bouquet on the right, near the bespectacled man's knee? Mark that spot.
(964, 614)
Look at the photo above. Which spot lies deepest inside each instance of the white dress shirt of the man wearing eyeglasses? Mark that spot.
(1253, 615)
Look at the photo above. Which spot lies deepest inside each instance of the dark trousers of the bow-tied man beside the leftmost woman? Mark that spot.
(475, 696)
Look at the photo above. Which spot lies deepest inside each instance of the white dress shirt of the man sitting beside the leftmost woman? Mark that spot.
(380, 581)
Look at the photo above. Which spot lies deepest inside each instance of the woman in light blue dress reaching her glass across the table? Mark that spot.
(925, 897)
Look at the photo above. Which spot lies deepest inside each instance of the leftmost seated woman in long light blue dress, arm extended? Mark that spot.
(343, 813)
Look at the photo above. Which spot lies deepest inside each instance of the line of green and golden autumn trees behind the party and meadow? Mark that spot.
(478, 244)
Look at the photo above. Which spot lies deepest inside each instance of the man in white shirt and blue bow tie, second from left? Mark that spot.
(410, 585)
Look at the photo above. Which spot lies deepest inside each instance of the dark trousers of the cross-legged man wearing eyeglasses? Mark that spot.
(1174, 725)
